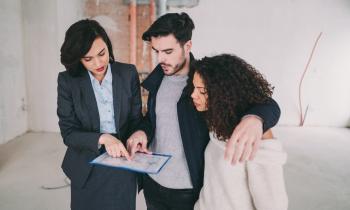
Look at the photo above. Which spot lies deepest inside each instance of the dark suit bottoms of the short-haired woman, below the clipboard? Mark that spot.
(106, 189)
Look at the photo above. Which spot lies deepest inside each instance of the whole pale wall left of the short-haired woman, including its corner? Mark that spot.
(31, 36)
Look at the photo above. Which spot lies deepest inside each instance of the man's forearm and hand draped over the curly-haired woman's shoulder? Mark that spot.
(246, 136)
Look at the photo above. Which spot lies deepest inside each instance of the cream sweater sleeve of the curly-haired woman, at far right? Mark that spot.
(266, 179)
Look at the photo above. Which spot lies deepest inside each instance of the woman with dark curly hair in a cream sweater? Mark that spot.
(225, 86)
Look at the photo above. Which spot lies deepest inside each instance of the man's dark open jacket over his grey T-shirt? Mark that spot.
(193, 128)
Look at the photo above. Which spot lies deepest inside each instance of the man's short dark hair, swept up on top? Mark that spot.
(180, 25)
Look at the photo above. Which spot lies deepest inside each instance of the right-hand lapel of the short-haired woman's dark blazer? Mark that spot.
(117, 96)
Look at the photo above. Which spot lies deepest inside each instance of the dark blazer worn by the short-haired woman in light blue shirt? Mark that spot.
(79, 118)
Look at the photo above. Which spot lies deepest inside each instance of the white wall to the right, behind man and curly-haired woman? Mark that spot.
(277, 36)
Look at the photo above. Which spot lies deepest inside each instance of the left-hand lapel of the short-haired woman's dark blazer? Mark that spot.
(90, 101)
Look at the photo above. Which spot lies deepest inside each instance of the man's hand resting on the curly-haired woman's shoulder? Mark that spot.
(245, 140)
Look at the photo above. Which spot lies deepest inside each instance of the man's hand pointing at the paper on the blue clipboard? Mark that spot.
(137, 142)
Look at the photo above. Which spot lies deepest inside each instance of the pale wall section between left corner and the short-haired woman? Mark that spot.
(45, 23)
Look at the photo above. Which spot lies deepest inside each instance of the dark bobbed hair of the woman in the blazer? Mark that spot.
(78, 41)
